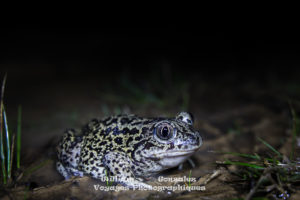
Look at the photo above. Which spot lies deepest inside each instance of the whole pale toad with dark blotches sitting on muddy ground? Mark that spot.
(128, 147)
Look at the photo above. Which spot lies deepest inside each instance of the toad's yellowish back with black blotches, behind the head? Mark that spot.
(119, 133)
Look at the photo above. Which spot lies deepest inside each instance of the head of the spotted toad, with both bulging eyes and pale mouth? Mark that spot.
(172, 141)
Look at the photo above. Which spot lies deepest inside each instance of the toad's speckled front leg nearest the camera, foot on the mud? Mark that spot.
(119, 165)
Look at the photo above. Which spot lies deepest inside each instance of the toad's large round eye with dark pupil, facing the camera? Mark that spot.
(164, 132)
